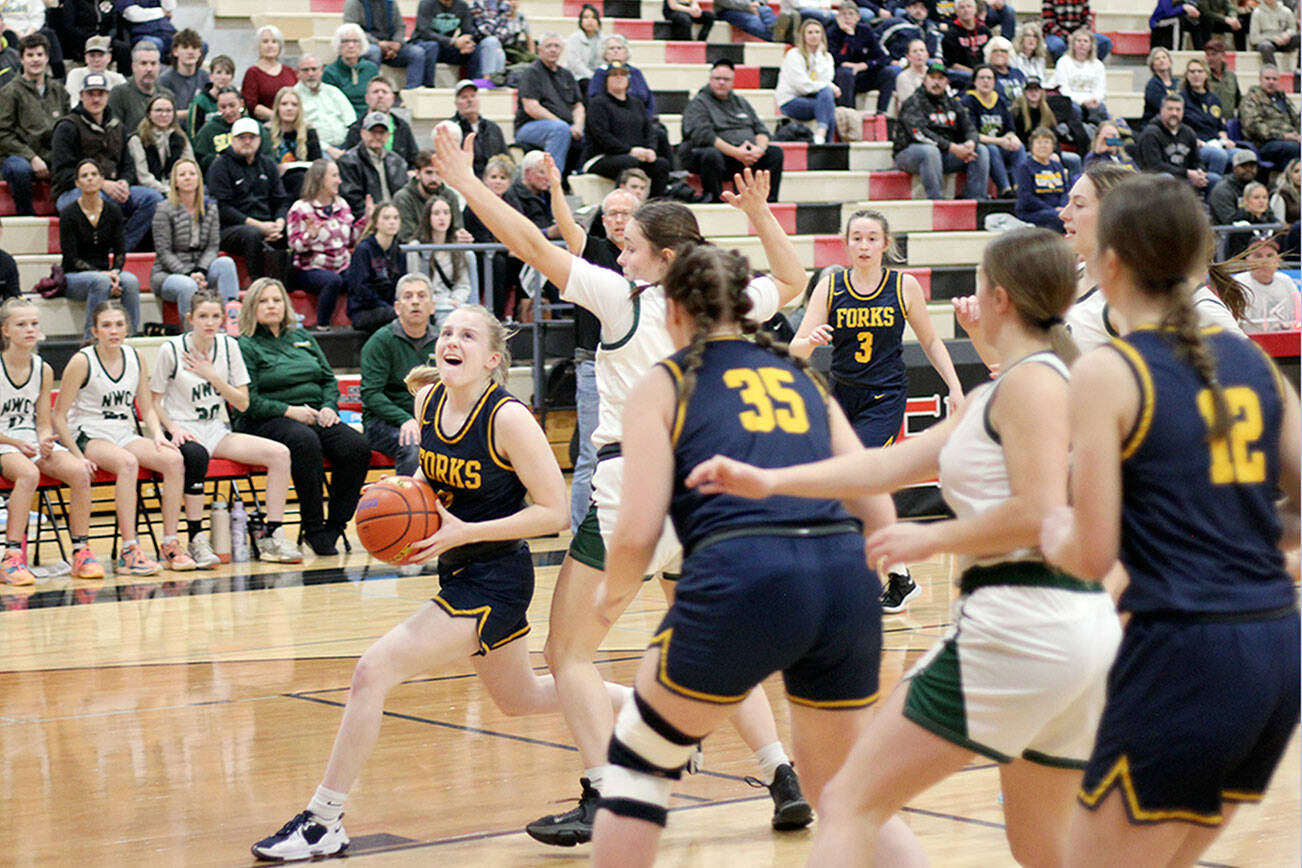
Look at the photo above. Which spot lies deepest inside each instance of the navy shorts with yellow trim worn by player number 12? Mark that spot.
(1198, 714)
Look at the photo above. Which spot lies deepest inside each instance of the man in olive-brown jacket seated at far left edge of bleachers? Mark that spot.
(29, 109)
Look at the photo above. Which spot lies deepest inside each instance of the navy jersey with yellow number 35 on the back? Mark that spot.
(756, 407)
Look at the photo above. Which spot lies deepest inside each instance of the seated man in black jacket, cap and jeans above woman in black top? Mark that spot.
(92, 132)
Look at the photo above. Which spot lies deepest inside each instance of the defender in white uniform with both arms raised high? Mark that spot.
(633, 339)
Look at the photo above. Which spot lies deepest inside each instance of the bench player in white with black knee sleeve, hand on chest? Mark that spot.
(195, 377)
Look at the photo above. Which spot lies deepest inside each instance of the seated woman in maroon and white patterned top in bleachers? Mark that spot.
(322, 232)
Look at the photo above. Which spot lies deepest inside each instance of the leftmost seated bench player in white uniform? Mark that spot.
(29, 448)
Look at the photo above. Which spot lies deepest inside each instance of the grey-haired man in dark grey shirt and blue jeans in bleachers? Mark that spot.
(551, 111)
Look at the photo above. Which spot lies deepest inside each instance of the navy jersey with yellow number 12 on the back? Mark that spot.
(1200, 533)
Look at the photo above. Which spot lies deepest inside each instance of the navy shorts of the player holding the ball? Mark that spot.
(495, 591)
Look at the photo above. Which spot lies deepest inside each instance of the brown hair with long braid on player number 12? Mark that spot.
(1163, 257)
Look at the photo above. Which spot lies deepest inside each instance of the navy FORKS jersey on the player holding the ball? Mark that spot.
(473, 481)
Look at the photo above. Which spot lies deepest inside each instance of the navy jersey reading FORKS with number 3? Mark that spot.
(868, 331)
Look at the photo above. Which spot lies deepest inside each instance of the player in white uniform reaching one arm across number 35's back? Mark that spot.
(1020, 677)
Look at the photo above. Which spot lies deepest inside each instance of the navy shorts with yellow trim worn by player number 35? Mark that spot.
(752, 606)
